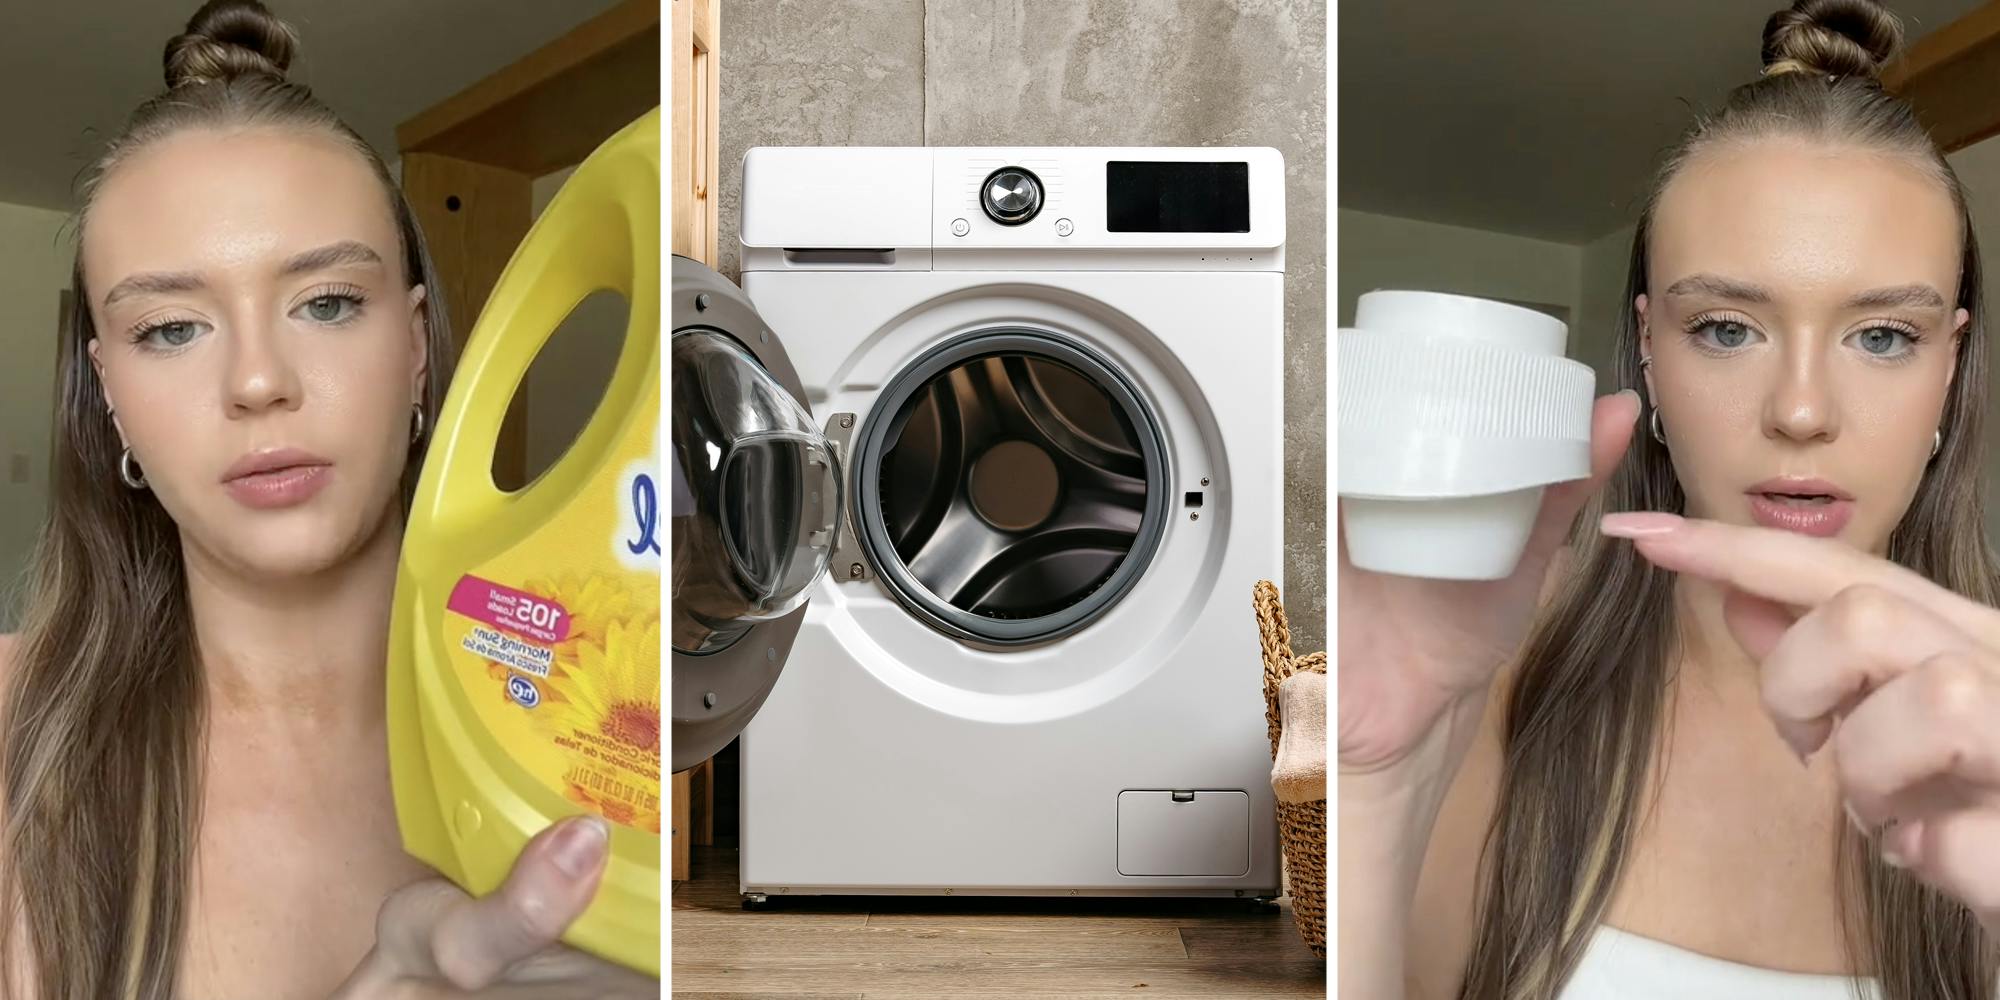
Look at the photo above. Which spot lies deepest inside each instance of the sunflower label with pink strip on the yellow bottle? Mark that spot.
(565, 667)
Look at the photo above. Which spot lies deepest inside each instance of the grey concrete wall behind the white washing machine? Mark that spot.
(1071, 73)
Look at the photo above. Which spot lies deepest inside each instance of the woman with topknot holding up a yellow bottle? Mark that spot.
(195, 751)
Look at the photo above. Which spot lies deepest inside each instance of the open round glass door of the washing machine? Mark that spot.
(755, 505)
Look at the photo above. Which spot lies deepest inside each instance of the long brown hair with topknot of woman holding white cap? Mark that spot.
(1587, 711)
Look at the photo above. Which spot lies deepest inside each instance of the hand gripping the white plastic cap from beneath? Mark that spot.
(1413, 649)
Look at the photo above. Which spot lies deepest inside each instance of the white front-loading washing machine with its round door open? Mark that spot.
(1051, 381)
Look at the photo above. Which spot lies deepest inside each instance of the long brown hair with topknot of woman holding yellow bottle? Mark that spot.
(105, 703)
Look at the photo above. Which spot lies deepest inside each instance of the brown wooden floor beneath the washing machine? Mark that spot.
(927, 947)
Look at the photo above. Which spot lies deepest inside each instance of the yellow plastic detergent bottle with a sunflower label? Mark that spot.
(525, 663)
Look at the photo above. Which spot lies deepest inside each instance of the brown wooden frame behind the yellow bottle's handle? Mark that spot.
(469, 163)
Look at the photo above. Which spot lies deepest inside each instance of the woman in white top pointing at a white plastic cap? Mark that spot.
(1647, 799)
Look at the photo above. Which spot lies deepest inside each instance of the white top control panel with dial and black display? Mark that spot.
(971, 207)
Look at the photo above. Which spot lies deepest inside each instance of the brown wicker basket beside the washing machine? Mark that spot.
(1301, 825)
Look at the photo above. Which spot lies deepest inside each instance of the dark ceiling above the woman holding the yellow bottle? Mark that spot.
(75, 71)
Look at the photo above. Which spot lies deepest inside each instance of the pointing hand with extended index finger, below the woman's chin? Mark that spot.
(1897, 675)
